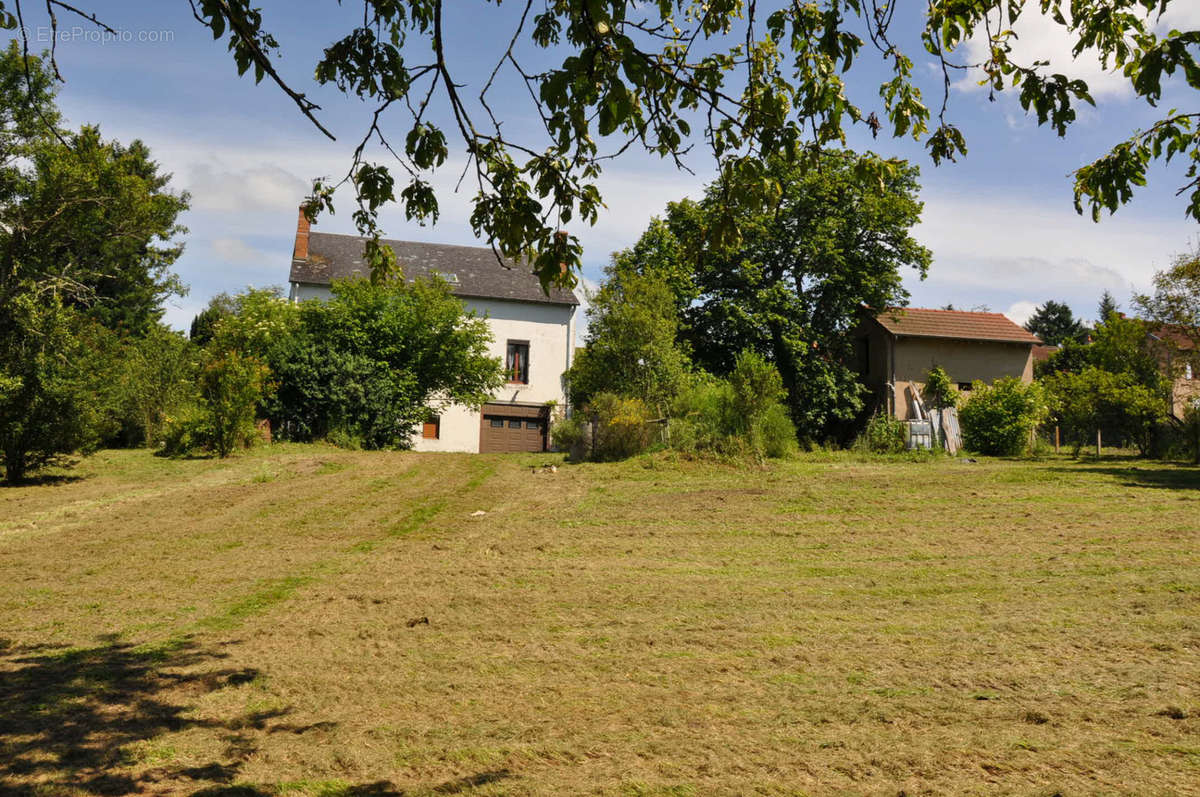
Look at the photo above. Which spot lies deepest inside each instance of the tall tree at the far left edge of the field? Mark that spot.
(79, 223)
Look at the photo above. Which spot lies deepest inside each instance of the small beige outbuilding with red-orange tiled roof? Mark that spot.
(897, 349)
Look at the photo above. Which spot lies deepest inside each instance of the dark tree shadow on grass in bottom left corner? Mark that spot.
(71, 718)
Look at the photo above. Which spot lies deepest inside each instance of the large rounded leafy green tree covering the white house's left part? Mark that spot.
(373, 362)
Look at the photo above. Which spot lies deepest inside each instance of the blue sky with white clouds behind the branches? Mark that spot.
(1000, 223)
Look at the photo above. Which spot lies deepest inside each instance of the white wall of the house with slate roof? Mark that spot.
(549, 331)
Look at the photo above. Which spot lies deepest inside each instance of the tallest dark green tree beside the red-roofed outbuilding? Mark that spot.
(796, 285)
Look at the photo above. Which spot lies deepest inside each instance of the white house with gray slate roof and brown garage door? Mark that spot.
(533, 333)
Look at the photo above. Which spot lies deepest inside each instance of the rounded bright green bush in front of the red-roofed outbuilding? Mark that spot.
(998, 420)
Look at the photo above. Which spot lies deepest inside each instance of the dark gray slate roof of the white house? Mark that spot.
(338, 257)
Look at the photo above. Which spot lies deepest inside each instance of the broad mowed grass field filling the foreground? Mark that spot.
(309, 621)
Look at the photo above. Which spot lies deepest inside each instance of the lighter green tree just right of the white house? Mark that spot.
(632, 349)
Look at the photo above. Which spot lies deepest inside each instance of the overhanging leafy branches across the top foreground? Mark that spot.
(752, 82)
